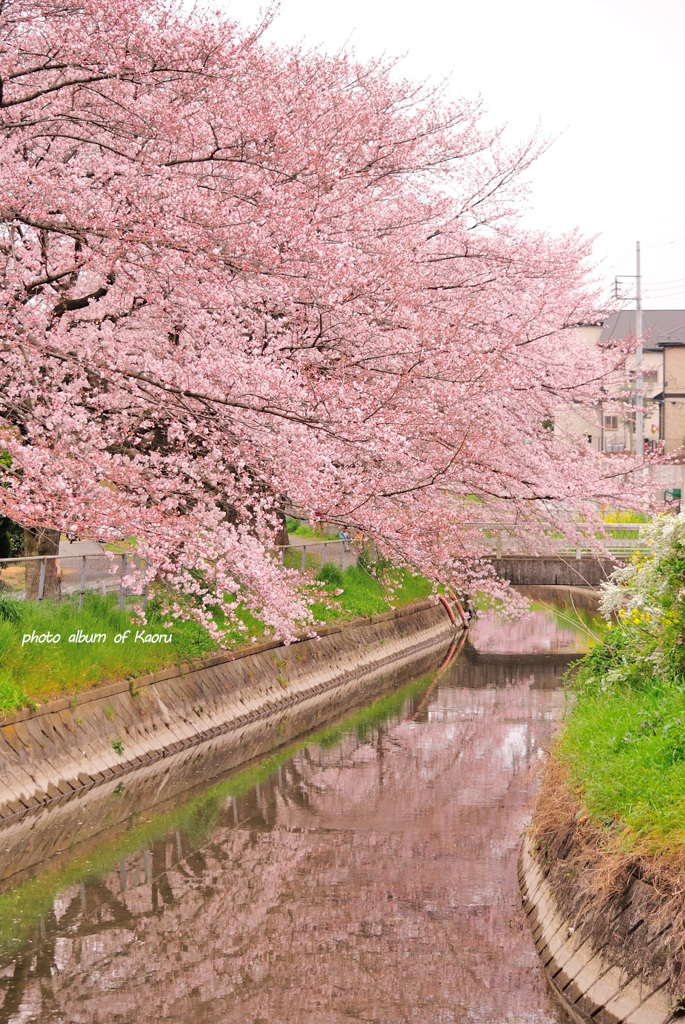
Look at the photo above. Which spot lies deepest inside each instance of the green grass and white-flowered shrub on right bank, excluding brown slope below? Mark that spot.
(623, 747)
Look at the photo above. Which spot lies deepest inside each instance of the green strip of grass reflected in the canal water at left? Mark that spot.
(24, 906)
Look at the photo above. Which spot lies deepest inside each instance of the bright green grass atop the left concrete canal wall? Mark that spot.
(35, 672)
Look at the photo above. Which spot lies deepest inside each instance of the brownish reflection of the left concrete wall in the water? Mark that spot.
(48, 838)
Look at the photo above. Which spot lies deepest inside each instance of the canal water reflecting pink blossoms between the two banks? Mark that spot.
(370, 876)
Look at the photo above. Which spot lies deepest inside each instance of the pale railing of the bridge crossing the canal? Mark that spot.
(622, 539)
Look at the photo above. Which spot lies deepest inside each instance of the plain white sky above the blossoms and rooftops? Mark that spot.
(606, 78)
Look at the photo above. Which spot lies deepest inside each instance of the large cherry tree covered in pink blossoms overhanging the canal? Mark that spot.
(235, 276)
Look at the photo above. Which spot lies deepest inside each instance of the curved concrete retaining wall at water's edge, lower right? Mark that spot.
(593, 985)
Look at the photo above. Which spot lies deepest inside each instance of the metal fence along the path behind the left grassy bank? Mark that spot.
(41, 578)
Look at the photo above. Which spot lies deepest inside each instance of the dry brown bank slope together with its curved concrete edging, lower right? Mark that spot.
(609, 926)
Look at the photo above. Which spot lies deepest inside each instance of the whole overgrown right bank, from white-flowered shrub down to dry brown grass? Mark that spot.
(612, 812)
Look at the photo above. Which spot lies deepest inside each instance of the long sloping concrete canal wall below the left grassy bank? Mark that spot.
(71, 746)
